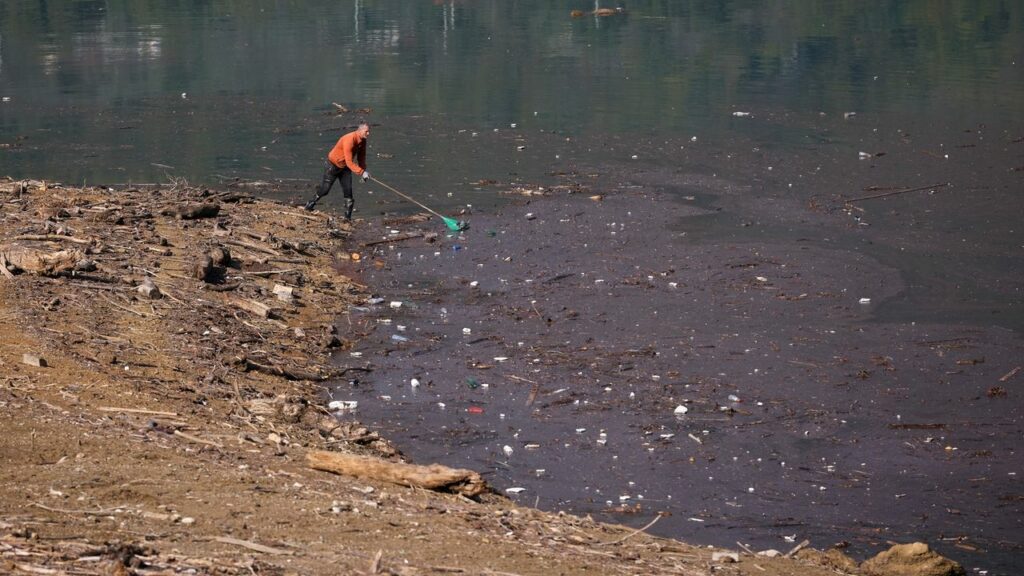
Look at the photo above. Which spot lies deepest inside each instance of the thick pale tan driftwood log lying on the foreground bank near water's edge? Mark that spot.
(435, 477)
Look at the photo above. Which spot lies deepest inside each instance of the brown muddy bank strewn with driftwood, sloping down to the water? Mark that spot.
(163, 354)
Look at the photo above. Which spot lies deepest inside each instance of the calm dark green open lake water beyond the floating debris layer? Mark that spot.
(108, 92)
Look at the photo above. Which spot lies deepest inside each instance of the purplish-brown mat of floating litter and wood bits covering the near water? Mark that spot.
(607, 353)
